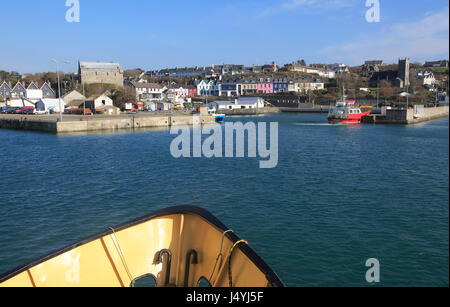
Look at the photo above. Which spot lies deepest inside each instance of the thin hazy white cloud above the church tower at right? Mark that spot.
(424, 39)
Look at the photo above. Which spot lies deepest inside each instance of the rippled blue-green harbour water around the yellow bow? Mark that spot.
(339, 196)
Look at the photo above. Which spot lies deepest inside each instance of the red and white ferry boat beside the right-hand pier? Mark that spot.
(346, 112)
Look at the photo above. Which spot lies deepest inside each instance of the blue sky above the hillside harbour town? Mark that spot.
(155, 34)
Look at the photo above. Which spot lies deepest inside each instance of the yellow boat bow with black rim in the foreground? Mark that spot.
(180, 246)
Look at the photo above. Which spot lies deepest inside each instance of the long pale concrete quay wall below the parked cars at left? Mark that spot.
(73, 123)
